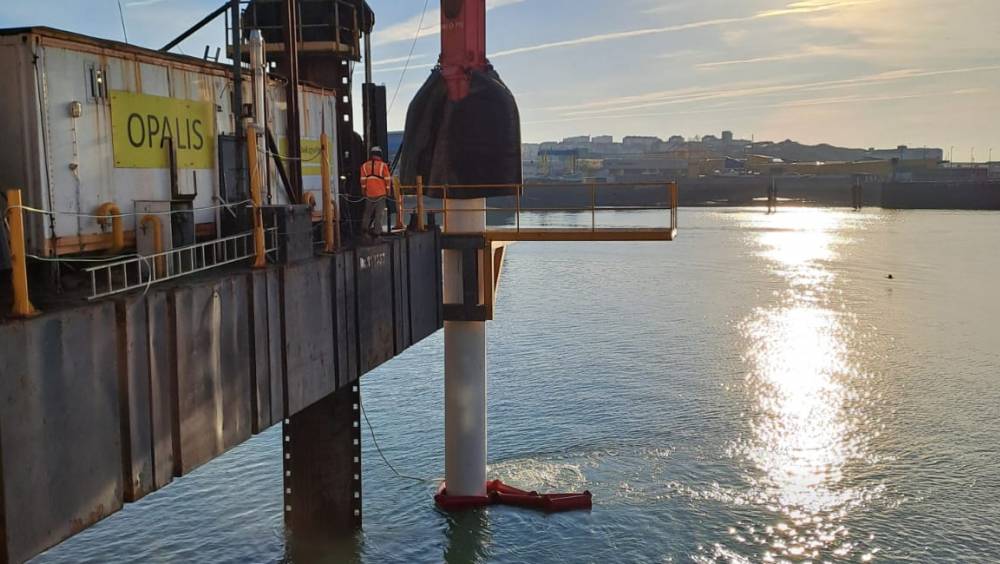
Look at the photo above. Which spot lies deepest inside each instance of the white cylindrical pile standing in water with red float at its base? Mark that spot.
(464, 365)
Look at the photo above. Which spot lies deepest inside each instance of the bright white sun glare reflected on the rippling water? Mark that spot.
(804, 428)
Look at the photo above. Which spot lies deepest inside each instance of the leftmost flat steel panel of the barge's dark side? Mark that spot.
(60, 441)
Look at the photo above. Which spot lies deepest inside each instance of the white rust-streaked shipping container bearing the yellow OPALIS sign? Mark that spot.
(58, 102)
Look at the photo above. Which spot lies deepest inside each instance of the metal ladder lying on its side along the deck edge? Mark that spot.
(143, 271)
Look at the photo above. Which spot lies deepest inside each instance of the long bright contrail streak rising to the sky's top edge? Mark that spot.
(795, 8)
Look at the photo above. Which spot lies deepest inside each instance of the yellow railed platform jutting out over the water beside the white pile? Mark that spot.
(419, 193)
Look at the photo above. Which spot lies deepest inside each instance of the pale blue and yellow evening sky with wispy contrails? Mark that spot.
(859, 73)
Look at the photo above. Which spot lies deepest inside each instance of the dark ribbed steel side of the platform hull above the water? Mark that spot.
(105, 403)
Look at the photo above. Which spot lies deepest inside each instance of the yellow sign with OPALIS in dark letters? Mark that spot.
(142, 126)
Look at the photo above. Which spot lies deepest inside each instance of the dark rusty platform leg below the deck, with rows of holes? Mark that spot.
(322, 466)
